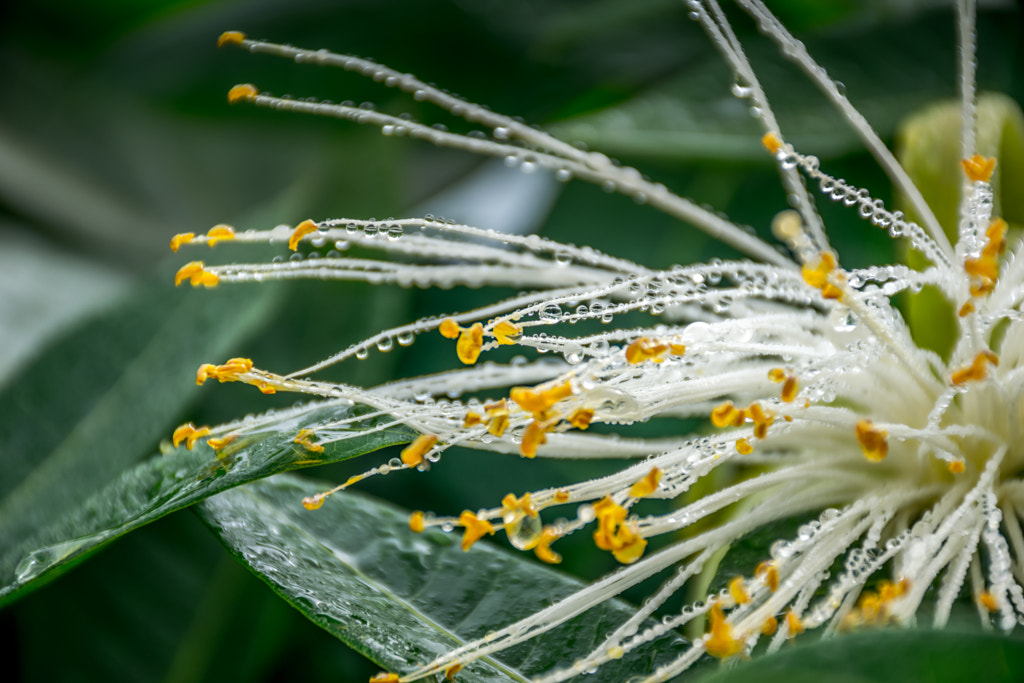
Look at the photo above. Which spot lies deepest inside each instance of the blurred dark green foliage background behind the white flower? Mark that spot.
(115, 135)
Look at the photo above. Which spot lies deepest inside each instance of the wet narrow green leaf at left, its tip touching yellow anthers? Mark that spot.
(169, 483)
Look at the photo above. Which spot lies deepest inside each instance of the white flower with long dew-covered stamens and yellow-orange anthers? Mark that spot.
(815, 389)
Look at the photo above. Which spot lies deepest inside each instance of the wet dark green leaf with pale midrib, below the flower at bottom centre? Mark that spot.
(403, 599)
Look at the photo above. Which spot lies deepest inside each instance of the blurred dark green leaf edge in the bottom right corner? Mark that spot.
(880, 657)
